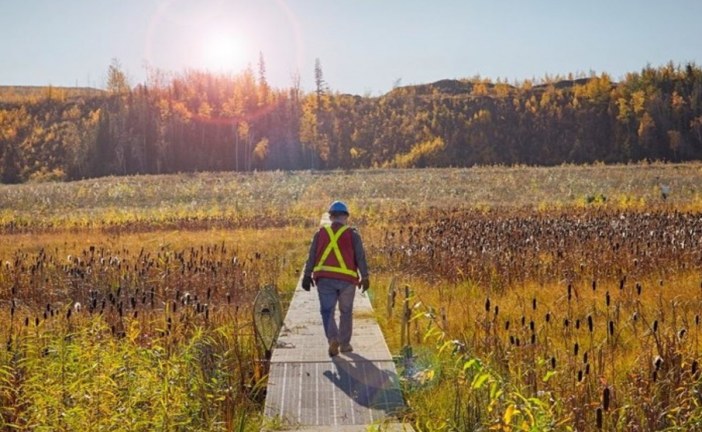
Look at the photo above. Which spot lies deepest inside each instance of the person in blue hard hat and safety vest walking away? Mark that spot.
(336, 265)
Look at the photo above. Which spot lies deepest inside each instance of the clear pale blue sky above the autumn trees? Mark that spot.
(364, 46)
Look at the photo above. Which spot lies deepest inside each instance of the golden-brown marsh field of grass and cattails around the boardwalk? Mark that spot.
(564, 298)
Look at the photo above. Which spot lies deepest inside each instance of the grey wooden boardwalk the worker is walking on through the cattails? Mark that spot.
(309, 391)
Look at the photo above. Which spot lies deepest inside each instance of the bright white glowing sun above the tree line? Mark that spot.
(223, 52)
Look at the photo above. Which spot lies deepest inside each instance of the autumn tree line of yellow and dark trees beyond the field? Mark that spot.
(198, 121)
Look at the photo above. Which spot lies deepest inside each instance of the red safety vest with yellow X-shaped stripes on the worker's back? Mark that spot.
(335, 256)
